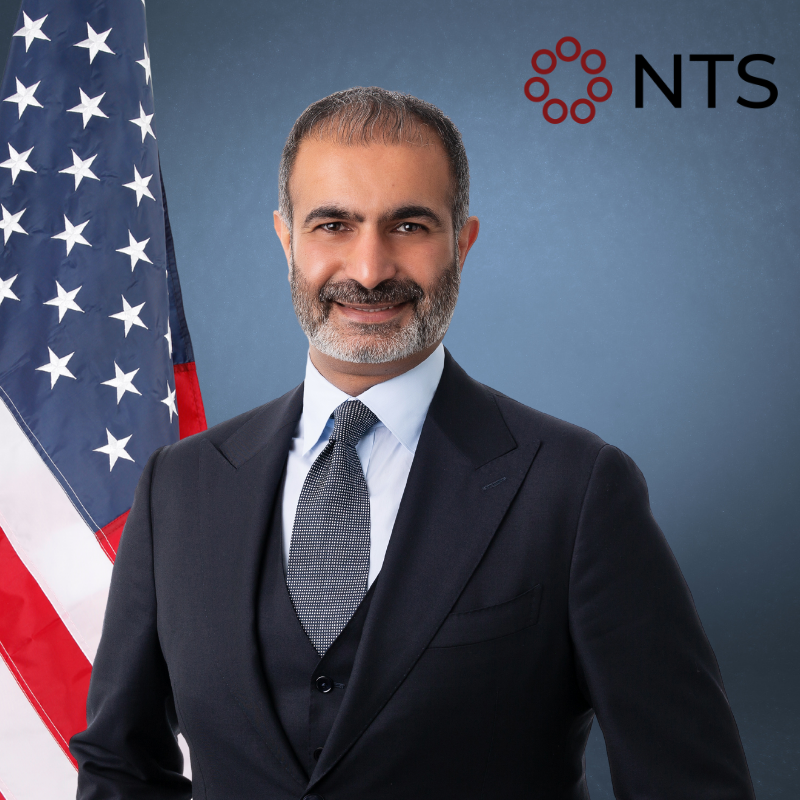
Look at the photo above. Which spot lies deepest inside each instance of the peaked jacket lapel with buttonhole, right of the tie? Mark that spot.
(466, 471)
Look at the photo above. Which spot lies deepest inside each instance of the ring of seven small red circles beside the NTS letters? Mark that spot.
(544, 86)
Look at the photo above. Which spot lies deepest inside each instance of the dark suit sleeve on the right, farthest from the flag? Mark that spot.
(648, 668)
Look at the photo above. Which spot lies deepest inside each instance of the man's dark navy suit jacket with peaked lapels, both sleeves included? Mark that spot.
(526, 589)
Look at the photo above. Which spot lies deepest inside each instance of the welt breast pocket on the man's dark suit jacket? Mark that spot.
(492, 622)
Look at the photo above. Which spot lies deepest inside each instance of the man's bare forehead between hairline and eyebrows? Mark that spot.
(370, 176)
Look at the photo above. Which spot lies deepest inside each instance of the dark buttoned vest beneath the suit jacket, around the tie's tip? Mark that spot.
(307, 691)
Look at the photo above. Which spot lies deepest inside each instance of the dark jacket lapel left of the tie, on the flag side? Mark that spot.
(238, 487)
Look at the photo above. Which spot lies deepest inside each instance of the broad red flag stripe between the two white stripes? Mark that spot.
(45, 660)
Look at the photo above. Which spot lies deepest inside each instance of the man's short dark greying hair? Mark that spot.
(365, 114)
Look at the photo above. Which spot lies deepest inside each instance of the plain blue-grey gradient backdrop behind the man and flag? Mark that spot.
(637, 275)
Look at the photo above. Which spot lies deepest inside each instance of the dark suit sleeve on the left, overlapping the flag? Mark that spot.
(129, 749)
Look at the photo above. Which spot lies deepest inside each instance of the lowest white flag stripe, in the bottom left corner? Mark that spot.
(32, 765)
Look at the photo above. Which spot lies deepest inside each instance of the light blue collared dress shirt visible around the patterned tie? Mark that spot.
(385, 451)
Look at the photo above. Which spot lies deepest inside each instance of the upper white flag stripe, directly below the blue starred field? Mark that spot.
(51, 538)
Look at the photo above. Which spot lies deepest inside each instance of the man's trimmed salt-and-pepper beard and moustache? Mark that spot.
(381, 342)
